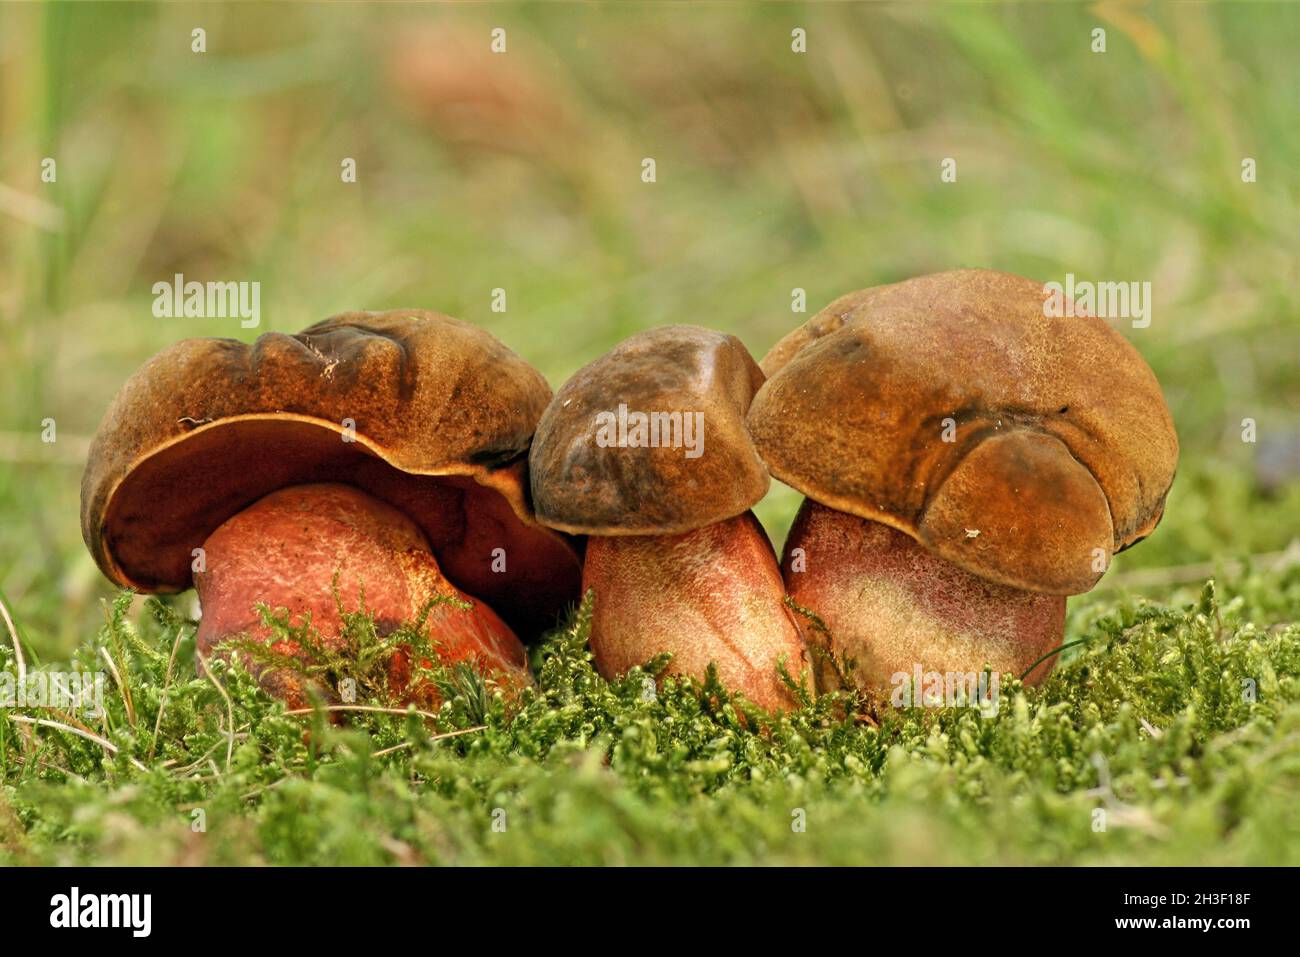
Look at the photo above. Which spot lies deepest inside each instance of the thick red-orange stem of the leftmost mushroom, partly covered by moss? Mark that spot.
(285, 552)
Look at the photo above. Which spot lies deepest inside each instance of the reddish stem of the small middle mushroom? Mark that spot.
(713, 595)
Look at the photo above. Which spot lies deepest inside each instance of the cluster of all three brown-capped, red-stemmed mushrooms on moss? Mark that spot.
(968, 464)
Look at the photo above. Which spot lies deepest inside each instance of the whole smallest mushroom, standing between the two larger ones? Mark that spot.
(645, 452)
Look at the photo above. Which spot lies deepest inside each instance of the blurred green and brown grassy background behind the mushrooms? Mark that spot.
(522, 171)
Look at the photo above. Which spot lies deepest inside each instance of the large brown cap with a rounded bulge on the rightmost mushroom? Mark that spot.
(1063, 441)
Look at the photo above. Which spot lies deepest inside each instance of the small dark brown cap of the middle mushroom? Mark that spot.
(586, 488)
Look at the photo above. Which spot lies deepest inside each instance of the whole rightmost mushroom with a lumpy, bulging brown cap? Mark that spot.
(968, 462)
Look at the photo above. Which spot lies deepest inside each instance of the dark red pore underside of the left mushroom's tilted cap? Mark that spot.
(174, 500)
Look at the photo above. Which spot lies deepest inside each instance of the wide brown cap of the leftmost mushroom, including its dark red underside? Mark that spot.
(443, 415)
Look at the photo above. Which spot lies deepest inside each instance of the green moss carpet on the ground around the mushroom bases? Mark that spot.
(1181, 722)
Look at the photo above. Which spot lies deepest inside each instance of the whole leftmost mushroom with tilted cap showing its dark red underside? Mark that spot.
(385, 449)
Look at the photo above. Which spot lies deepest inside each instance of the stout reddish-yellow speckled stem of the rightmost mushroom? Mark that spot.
(891, 605)
